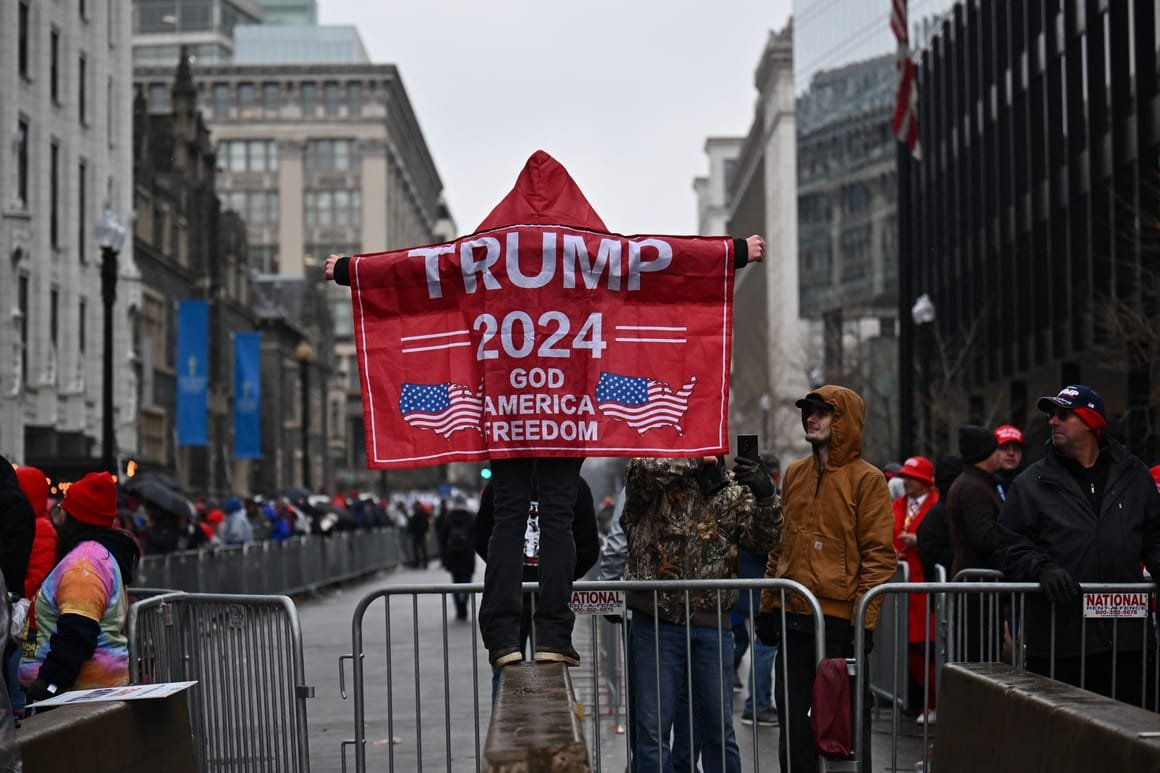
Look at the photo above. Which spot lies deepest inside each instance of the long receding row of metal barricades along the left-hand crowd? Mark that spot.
(298, 565)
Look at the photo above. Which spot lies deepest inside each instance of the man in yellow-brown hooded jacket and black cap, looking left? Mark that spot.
(837, 540)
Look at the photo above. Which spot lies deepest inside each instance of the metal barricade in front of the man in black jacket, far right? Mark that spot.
(1000, 603)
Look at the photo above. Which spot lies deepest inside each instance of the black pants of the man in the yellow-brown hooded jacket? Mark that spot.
(797, 653)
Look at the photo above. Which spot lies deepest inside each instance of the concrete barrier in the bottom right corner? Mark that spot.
(996, 718)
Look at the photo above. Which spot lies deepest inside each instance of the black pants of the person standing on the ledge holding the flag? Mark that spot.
(516, 482)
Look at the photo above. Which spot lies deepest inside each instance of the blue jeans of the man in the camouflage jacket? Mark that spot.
(709, 662)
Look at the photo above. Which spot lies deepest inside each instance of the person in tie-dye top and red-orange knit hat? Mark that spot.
(78, 641)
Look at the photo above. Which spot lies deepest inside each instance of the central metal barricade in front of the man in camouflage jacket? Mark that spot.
(425, 658)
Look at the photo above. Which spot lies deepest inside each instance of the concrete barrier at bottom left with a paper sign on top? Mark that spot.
(127, 736)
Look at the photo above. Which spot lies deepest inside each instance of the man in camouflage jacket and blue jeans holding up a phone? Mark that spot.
(685, 519)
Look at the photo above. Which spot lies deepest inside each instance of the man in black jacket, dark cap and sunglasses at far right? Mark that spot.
(1089, 512)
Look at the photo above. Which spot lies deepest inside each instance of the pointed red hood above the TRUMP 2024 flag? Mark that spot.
(545, 194)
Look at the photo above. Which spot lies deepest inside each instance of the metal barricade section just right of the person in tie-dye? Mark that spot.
(249, 709)
